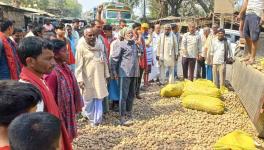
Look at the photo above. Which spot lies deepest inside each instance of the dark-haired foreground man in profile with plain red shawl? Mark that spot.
(38, 59)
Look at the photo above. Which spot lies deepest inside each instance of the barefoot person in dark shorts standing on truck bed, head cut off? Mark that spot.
(254, 10)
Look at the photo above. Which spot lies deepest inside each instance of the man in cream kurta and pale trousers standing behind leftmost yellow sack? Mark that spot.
(167, 53)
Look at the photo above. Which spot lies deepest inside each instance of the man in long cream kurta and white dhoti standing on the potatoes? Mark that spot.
(92, 73)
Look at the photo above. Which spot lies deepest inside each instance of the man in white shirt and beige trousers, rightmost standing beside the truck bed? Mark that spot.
(219, 54)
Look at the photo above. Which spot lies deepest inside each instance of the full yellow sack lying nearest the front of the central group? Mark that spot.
(204, 103)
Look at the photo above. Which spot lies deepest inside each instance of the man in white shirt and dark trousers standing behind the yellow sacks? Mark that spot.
(191, 51)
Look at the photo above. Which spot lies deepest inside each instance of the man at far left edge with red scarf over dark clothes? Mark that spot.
(9, 63)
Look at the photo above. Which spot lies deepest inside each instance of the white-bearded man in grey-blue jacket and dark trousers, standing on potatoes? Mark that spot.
(125, 69)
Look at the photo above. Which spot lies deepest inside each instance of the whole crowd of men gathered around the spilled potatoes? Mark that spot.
(50, 74)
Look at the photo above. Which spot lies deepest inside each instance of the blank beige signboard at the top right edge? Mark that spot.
(224, 6)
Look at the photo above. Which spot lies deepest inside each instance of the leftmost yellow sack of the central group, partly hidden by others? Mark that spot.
(172, 90)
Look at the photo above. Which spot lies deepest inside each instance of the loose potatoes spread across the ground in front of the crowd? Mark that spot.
(162, 123)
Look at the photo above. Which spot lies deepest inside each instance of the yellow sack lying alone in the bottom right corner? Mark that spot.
(236, 140)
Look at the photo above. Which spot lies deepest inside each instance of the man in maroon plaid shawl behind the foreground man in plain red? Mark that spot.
(64, 87)
